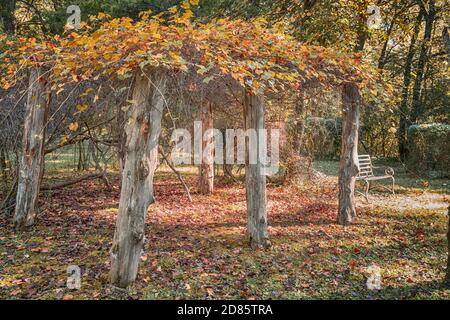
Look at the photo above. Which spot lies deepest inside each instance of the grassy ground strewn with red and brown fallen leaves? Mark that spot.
(199, 250)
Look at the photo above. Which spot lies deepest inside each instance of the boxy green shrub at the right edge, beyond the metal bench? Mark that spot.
(429, 149)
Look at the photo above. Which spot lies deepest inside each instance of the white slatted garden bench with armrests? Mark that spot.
(366, 174)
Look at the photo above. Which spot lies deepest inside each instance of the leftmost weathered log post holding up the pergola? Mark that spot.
(32, 159)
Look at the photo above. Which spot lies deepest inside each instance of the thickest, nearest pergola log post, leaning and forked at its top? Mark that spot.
(143, 127)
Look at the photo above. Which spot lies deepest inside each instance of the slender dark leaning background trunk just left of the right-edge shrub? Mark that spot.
(403, 123)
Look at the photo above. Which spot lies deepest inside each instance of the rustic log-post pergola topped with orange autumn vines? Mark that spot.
(251, 55)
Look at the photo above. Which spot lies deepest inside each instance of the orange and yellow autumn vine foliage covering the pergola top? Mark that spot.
(253, 53)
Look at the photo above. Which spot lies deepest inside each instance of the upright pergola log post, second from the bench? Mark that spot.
(255, 178)
